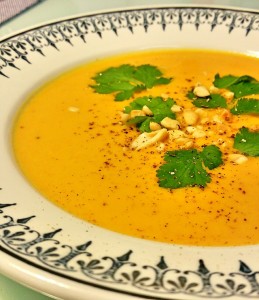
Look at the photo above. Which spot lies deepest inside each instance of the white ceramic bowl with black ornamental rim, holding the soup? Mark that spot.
(51, 251)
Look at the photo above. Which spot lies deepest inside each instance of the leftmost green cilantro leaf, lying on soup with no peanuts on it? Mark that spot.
(126, 80)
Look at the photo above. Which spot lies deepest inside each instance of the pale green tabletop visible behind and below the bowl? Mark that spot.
(49, 10)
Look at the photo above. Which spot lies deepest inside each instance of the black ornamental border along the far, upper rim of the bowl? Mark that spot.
(19, 47)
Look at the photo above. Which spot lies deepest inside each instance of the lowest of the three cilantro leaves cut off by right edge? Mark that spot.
(247, 142)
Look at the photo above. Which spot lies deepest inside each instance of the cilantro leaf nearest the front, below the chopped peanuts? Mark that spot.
(187, 167)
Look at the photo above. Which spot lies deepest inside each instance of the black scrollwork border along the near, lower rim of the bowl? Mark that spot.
(159, 280)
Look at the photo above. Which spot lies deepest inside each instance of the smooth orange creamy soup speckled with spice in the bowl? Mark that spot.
(72, 146)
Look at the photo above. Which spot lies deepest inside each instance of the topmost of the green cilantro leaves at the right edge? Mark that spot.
(240, 86)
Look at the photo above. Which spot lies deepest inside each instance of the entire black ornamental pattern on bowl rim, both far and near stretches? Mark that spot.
(160, 280)
